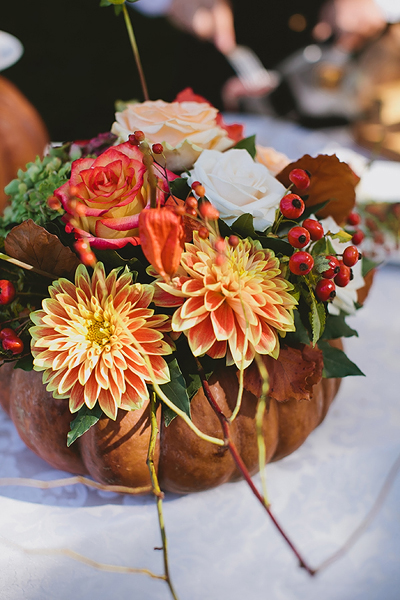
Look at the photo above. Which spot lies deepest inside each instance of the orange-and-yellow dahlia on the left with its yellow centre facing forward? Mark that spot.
(91, 337)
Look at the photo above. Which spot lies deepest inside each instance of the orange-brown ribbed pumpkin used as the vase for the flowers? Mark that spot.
(115, 452)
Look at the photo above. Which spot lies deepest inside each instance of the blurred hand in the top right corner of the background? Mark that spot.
(353, 22)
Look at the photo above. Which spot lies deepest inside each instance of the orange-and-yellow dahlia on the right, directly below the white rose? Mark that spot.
(235, 308)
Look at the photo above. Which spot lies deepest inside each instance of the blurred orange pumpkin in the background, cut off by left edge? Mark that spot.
(23, 135)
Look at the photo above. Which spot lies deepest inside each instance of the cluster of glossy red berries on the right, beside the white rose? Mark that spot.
(339, 272)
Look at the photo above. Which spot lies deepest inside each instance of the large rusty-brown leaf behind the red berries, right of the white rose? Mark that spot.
(330, 180)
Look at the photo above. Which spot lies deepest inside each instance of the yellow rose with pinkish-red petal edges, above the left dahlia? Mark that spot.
(105, 195)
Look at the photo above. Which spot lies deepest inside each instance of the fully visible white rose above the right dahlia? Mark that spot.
(236, 185)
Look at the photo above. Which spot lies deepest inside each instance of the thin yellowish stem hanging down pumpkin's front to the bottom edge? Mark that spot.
(157, 491)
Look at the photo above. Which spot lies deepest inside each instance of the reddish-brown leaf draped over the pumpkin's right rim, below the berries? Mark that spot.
(291, 377)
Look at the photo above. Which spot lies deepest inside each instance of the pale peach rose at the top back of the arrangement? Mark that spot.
(185, 129)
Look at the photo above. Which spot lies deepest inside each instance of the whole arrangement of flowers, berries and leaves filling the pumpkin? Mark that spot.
(136, 264)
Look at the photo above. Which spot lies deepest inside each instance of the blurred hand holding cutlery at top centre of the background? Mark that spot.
(210, 20)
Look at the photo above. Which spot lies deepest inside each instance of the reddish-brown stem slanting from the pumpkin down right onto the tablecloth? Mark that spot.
(242, 467)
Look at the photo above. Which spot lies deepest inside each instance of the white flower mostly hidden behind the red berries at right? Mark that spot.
(347, 296)
